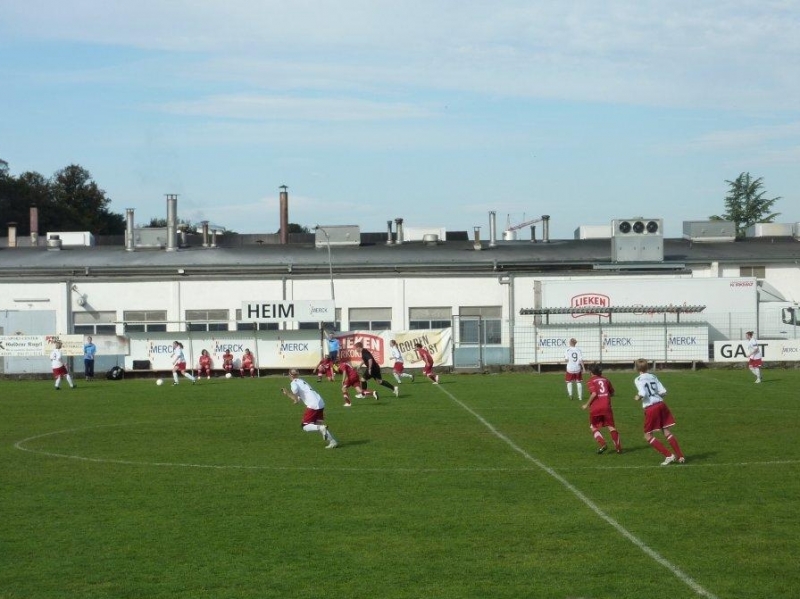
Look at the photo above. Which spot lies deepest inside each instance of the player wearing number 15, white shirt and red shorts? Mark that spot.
(657, 416)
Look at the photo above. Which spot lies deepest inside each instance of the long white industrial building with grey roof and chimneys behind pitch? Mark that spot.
(154, 285)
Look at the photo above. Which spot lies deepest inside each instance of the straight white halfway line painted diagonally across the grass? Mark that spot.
(649, 551)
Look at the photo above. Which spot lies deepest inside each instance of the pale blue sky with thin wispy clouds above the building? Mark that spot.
(433, 111)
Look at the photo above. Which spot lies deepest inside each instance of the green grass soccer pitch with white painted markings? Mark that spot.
(486, 486)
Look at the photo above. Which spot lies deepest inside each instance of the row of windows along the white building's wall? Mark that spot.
(475, 323)
